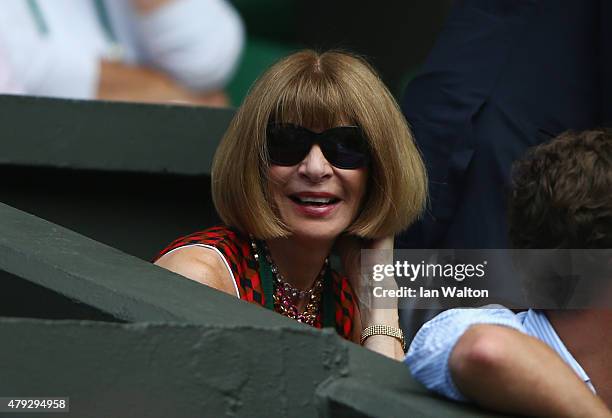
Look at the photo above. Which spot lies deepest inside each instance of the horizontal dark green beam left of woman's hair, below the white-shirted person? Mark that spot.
(109, 136)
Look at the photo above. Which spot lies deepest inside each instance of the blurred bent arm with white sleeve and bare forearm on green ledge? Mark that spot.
(56, 65)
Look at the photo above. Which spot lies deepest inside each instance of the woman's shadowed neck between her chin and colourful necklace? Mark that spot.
(299, 261)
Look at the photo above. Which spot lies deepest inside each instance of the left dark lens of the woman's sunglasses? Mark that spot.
(287, 145)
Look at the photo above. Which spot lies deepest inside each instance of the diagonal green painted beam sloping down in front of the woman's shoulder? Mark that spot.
(111, 281)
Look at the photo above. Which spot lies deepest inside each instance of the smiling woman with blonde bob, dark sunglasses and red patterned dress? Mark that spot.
(318, 157)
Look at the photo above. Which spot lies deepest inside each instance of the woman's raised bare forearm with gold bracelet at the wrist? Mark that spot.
(349, 249)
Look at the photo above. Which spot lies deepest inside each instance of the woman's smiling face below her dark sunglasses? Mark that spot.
(315, 199)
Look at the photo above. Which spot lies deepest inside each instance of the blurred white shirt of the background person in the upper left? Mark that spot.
(197, 42)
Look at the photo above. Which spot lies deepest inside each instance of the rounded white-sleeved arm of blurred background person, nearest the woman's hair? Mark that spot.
(197, 42)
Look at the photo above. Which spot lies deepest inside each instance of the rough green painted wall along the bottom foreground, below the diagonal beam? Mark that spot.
(180, 370)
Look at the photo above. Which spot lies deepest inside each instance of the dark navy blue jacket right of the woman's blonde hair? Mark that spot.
(504, 75)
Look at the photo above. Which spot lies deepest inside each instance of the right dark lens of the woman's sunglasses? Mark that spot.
(345, 148)
